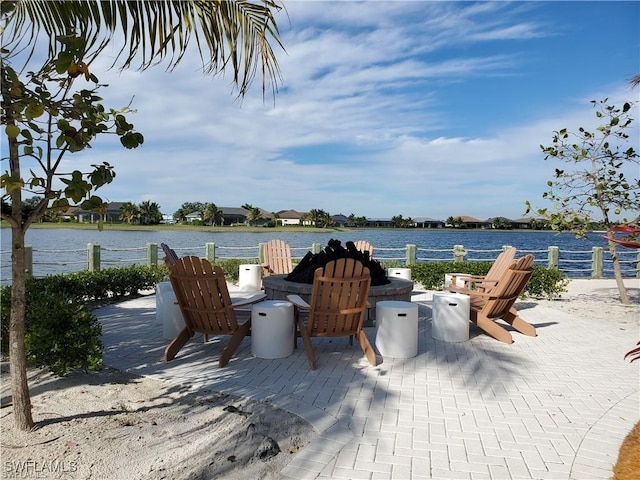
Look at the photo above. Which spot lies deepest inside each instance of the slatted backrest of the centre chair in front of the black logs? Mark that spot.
(339, 298)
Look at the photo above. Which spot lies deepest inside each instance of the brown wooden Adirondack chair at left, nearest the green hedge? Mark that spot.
(203, 297)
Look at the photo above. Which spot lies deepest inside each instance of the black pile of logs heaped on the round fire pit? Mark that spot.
(303, 272)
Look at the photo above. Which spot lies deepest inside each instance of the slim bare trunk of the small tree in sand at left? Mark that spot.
(17, 354)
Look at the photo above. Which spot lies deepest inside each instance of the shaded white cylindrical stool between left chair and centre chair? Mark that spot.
(272, 333)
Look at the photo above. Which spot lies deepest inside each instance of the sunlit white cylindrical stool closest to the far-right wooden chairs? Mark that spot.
(450, 317)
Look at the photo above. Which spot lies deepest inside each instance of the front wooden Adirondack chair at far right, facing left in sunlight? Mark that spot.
(497, 303)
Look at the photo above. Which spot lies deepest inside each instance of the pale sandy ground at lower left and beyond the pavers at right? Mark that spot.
(112, 425)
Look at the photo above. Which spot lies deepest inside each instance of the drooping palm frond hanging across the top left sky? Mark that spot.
(240, 34)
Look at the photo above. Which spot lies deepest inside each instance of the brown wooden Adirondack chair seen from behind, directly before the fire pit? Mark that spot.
(338, 306)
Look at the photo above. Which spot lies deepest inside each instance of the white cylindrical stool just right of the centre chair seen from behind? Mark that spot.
(397, 329)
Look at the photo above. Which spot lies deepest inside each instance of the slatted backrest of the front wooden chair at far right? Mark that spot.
(506, 292)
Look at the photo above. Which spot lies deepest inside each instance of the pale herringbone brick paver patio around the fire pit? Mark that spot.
(556, 406)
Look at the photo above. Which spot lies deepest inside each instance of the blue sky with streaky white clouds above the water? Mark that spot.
(419, 108)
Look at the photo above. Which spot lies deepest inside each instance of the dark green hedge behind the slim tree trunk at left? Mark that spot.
(61, 333)
